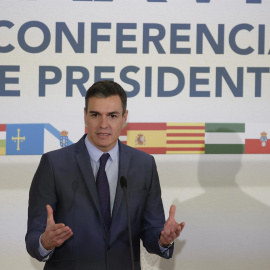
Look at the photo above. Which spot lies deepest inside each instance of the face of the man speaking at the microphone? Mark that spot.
(104, 119)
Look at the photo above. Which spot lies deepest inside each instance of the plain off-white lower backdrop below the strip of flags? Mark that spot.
(224, 200)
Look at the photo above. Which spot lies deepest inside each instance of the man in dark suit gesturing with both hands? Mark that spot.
(69, 225)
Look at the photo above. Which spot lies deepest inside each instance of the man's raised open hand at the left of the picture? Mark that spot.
(55, 234)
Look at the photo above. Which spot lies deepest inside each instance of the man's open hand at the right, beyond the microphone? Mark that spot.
(171, 229)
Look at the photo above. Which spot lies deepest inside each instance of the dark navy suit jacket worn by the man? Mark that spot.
(64, 179)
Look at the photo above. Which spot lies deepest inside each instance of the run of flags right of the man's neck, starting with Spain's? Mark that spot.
(198, 138)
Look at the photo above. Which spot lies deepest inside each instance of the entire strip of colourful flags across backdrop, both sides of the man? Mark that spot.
(153, 138)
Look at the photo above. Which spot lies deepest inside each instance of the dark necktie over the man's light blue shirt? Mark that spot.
(104, 190)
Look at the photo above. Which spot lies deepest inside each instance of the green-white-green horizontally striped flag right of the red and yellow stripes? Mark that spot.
(224, 138)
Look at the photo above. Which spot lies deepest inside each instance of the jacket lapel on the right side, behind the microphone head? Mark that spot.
(124, 160)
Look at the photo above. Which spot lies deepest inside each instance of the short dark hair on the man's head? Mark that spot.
(103, 89)
